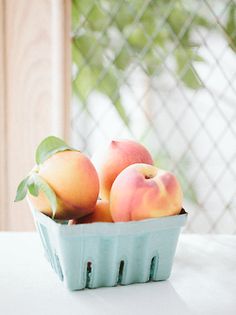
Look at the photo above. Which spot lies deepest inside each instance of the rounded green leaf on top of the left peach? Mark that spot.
(50, 146)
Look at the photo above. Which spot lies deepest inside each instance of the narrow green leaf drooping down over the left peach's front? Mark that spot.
(43, 186)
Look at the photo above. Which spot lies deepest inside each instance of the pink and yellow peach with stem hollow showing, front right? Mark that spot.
(143, 191)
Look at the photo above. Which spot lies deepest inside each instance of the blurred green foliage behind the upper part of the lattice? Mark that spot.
(124, 32)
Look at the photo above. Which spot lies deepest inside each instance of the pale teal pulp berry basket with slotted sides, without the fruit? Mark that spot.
(108, 254)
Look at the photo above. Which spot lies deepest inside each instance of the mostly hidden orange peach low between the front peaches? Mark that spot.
(101, 213)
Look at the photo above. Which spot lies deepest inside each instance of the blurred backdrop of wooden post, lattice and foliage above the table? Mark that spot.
(161, 72)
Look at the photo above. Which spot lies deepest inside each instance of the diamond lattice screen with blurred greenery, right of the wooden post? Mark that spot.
(163, 73)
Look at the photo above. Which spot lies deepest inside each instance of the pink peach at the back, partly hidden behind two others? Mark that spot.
(117, 157)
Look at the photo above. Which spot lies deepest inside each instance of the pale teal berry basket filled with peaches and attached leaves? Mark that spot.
(115, 224)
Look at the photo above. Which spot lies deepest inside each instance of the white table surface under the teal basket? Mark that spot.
(203, 281)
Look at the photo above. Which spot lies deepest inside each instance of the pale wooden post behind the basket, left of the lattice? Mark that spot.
(35, 94)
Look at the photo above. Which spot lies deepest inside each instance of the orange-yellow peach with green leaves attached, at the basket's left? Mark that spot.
(75, 182)
